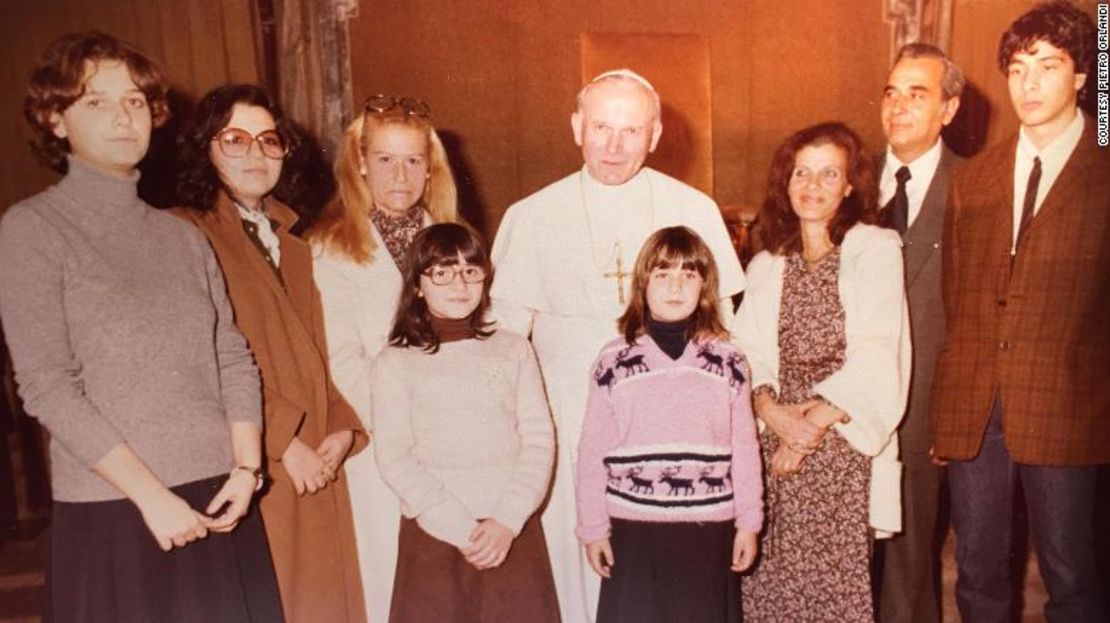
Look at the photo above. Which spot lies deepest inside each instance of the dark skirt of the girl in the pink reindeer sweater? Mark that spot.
(671, 574)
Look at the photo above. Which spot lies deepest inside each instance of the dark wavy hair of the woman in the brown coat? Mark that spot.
(198, 185)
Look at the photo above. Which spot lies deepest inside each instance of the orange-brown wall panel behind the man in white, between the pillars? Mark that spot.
(502, 78)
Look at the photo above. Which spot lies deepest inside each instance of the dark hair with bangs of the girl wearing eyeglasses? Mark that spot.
(438, 245)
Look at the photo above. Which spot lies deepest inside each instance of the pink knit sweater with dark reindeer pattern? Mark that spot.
(669, 440)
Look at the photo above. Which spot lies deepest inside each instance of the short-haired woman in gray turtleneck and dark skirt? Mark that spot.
(125, 348)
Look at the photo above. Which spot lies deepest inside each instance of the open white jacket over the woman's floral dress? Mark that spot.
(873, 385)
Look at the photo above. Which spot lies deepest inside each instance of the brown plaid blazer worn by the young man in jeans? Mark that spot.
(1037, 337)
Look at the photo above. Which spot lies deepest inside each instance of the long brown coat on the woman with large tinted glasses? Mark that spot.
(312, 537)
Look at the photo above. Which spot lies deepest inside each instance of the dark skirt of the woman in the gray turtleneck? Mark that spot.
(106, 566)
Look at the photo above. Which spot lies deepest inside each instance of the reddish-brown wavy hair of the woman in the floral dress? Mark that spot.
(780, 226)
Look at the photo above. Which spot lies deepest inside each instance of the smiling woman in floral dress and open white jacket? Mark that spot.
(825, 327)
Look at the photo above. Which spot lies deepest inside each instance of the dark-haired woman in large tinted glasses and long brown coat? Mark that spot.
(235, 164)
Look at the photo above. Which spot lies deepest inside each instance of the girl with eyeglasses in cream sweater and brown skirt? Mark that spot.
(465, 438)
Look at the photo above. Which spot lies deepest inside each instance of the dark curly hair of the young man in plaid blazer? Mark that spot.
(1062, 25)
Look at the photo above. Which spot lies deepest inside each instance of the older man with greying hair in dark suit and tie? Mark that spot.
(922, 96)
